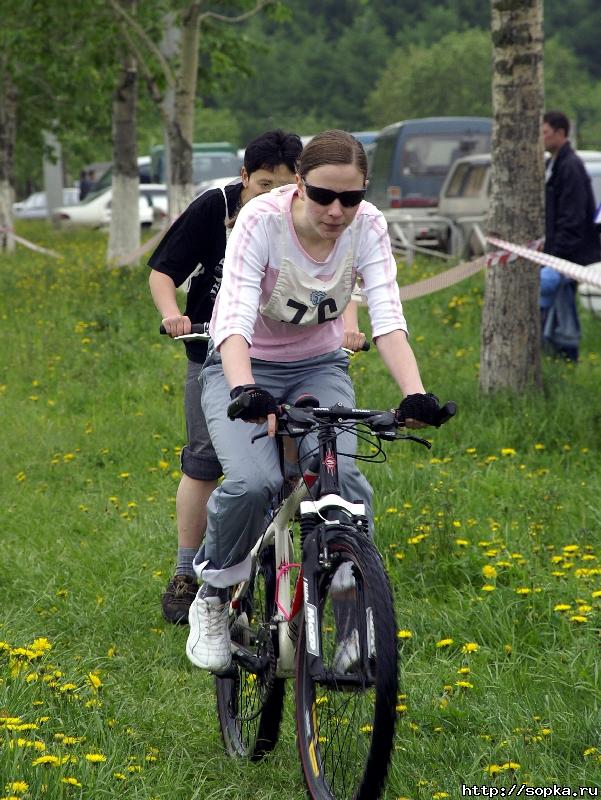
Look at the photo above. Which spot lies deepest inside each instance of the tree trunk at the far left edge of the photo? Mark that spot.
(8, 135)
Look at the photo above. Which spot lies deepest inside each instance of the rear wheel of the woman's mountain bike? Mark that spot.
(249, 706)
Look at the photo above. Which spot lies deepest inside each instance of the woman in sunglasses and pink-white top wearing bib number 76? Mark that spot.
(290, 266)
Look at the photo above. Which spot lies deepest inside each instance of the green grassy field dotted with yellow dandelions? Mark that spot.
(491, 540)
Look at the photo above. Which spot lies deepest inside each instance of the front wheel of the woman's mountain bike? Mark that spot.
(345, 734)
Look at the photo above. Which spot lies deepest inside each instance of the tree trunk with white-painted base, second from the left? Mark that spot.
(124, 231)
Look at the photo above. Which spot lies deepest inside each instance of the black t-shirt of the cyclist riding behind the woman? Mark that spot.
(196, 240)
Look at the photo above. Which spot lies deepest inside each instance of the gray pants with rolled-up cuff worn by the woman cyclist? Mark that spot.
(237, 508)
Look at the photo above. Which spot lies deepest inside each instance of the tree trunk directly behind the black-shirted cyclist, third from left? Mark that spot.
(180, 130)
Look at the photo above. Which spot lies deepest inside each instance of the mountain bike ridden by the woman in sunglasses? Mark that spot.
(318, 608)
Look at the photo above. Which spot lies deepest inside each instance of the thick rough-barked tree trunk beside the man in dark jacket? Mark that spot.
(510, 334)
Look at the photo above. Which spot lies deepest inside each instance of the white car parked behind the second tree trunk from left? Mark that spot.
(95, 210)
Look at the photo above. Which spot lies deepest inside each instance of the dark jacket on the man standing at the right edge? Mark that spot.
(570, 208)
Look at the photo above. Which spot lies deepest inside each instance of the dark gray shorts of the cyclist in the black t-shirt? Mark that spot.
(198, 457)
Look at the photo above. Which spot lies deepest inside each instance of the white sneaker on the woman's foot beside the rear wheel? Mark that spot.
(208, 645)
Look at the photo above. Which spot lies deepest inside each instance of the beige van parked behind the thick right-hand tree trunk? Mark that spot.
(465, 197)
